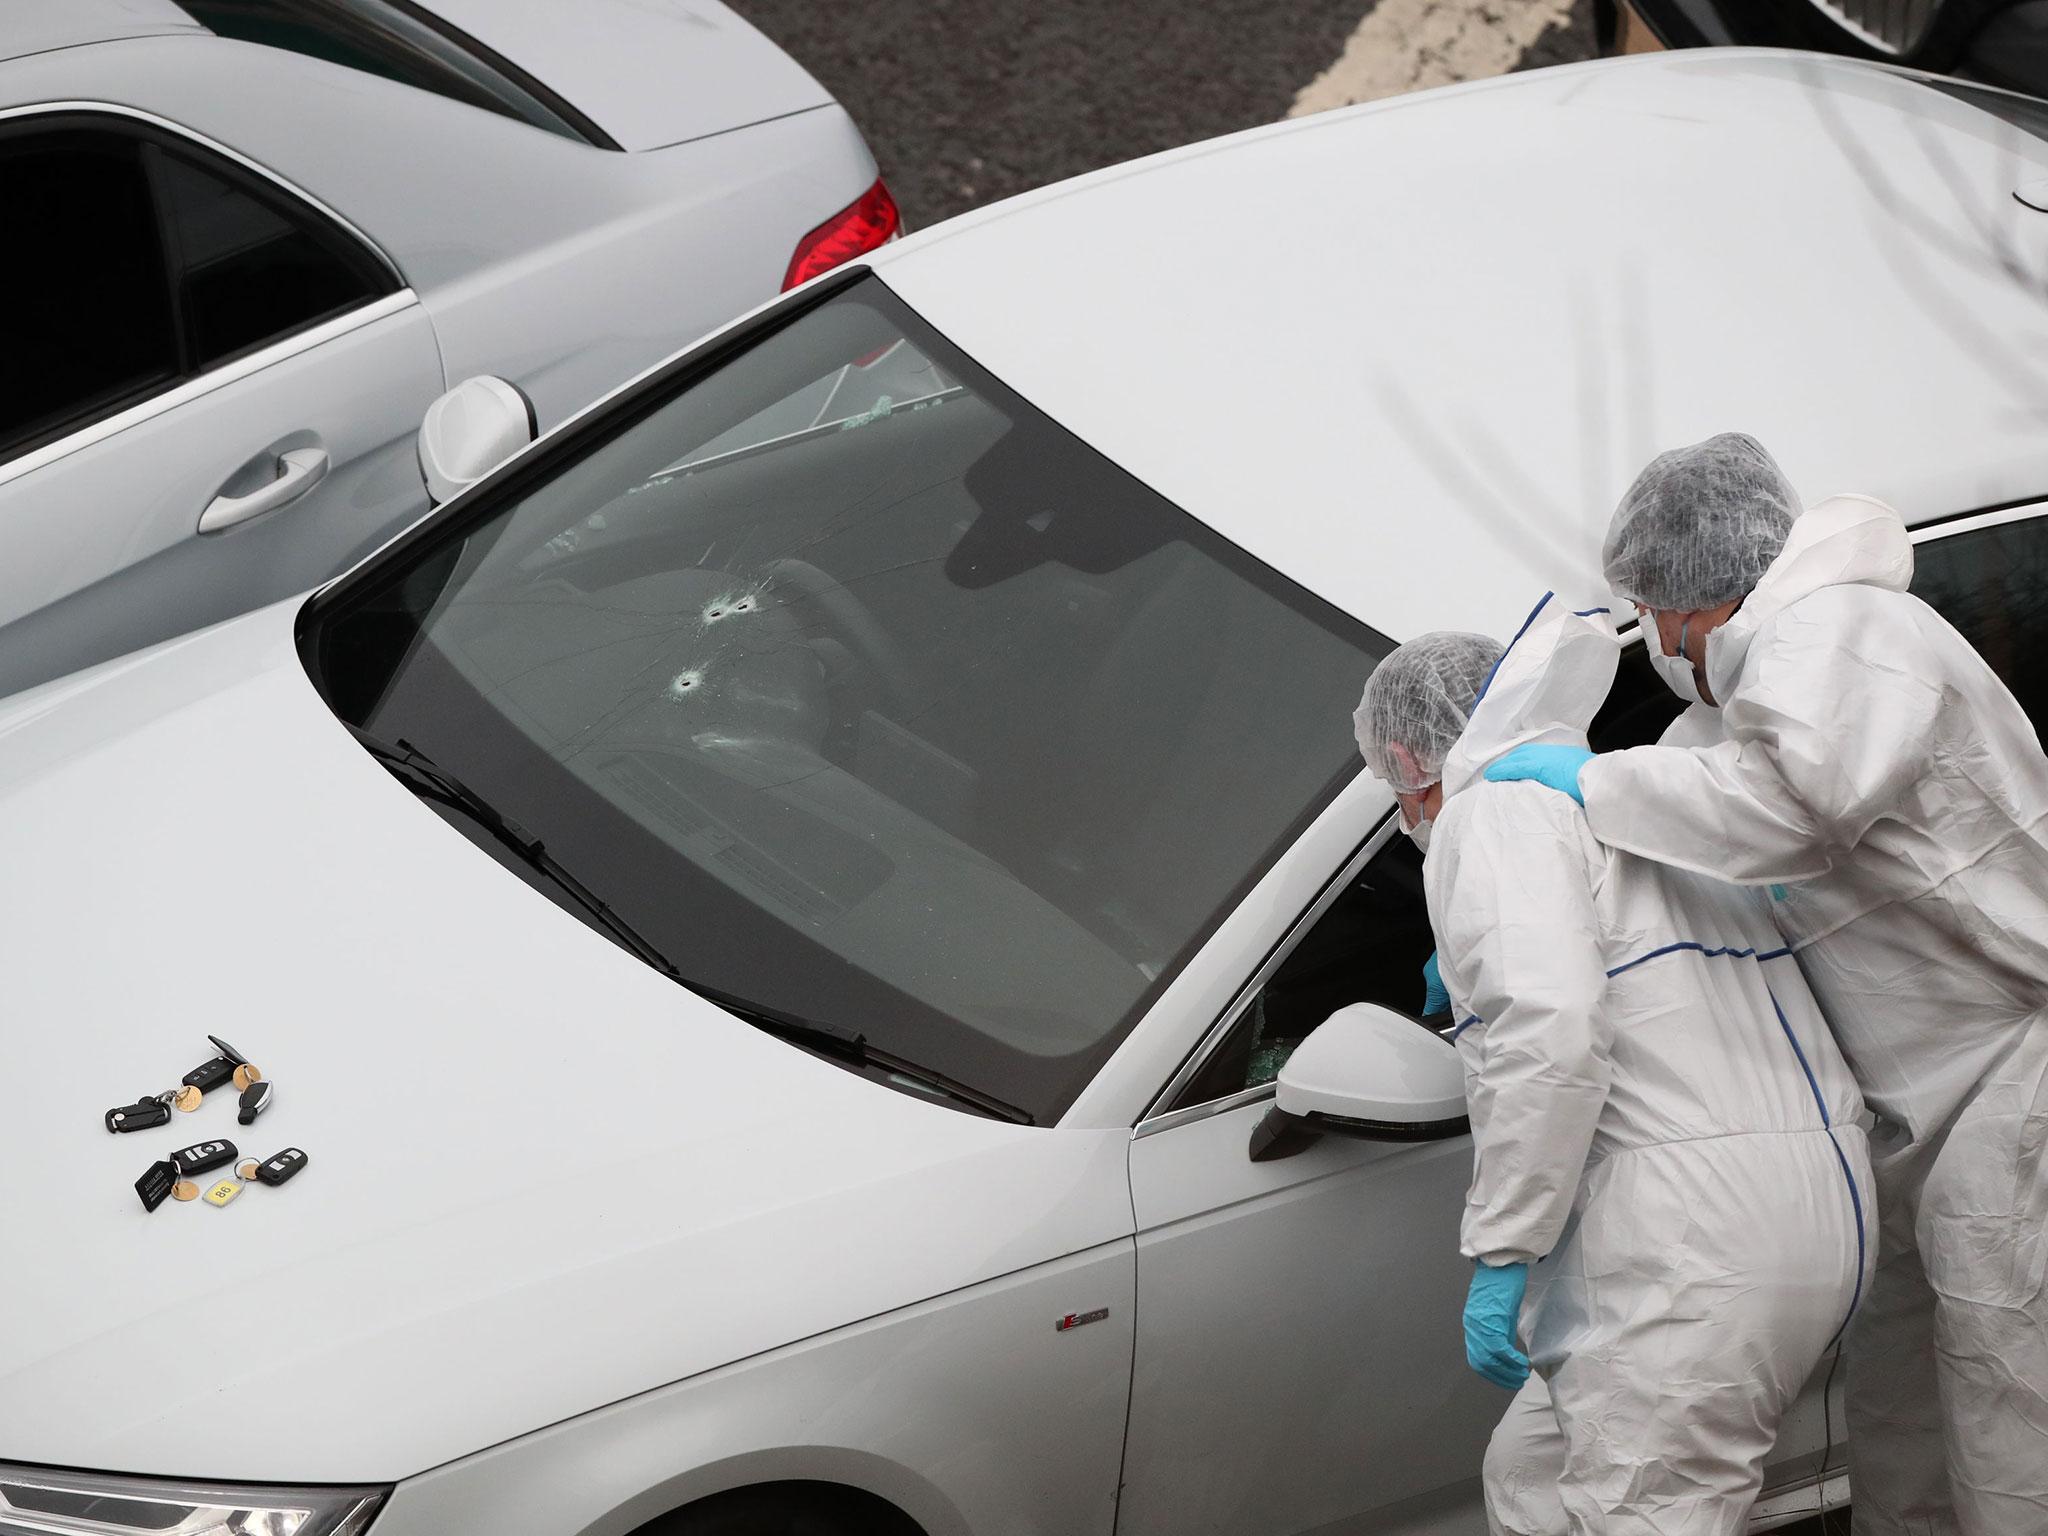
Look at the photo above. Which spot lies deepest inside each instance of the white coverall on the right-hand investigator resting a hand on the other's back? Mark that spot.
(1893, 794)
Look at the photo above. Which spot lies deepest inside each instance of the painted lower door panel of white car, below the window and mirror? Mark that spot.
(1285, 1336)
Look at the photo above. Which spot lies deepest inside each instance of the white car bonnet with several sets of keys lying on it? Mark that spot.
(540, 1179)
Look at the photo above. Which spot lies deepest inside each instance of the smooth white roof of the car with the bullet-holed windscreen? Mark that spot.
(1412, 353)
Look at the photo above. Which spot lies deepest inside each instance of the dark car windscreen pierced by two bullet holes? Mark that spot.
(867, 693)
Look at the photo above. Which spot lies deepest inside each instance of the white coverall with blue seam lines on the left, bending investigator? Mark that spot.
(1662, 1127)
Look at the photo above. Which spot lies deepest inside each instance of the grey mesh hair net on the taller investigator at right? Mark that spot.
(1701, 525)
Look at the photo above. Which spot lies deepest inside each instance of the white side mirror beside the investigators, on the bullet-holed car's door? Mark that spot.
(1365, 1072)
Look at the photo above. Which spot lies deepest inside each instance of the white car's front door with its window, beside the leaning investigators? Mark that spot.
(1299, 1355)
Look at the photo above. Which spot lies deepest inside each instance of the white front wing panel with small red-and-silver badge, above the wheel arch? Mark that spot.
(972, 1416)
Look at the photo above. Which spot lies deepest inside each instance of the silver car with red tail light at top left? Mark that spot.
(251, 241)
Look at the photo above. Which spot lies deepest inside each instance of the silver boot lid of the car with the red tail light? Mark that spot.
(648, 73)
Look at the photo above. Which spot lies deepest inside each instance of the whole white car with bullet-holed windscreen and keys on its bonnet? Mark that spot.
(775, 916)
